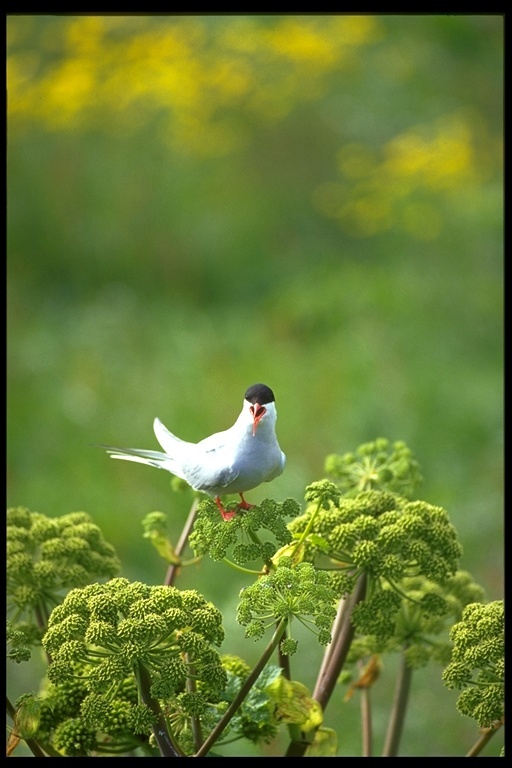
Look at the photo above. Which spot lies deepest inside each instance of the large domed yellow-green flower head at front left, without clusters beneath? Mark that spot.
(121, 626)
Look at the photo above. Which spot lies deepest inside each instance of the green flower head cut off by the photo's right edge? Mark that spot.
(477, 665)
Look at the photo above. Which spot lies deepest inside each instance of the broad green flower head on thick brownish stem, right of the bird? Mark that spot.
(387, 537)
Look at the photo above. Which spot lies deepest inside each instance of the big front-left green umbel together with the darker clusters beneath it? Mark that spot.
(101, 639)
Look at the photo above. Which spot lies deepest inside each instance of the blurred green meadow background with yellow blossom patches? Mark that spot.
(198, 203)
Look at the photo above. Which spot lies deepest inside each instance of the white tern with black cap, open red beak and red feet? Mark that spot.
(233, 461)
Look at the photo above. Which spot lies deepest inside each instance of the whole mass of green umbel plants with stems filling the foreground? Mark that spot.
(134, 669)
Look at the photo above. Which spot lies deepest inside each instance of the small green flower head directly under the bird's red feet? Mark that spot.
(214, 536)
